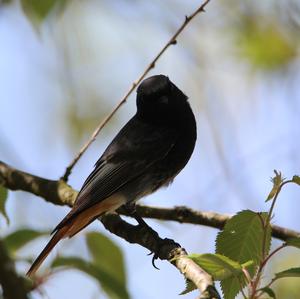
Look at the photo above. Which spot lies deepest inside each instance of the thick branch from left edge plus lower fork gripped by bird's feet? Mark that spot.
(58, 192)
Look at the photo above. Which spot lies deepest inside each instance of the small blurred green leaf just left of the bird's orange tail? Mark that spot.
(20, 238)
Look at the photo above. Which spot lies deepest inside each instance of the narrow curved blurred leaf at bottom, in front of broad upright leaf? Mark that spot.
(110, 284)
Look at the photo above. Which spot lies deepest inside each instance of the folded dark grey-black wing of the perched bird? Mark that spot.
(136, 147)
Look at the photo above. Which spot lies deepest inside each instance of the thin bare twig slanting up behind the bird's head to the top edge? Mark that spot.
(151, 65)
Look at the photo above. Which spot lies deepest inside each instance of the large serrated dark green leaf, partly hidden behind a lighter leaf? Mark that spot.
(242, 240)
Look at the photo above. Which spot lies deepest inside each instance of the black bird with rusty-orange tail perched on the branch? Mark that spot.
(148, 152)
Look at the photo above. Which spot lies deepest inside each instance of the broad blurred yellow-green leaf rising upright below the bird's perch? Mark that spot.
(106, 255)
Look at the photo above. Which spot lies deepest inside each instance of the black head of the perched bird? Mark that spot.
(160, 101)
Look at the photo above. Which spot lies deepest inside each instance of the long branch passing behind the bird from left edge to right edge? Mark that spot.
(59, 193)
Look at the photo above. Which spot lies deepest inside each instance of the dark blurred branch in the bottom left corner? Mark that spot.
(13, 286)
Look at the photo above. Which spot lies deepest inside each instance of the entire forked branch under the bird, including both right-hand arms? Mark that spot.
(59, 193)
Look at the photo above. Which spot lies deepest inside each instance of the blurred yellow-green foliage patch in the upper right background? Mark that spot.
(265, 43)
